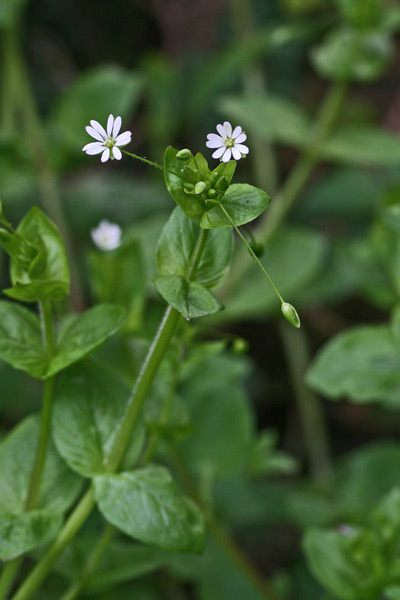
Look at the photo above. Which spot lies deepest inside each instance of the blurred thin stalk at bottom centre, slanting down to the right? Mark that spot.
(227, 543)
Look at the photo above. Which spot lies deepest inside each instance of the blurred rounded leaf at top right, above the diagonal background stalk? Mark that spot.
(350, 55)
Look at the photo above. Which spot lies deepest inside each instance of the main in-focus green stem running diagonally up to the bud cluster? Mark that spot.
(145, 379)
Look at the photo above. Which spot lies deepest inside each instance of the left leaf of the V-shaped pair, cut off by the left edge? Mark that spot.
(21, 339)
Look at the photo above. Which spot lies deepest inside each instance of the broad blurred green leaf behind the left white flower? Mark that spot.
(94, 95)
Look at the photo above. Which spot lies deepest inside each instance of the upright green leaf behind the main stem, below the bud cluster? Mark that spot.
(177, 244)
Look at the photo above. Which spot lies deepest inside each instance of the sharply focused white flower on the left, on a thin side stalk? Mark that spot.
(107, 141)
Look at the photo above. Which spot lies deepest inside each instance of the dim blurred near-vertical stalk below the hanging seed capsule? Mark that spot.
(316, 438)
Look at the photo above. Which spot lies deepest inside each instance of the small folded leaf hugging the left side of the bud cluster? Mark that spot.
(191, 205)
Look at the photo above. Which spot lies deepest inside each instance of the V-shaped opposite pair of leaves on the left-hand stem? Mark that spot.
(21, 342)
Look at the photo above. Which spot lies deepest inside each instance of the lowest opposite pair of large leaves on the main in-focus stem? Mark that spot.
(144, 503)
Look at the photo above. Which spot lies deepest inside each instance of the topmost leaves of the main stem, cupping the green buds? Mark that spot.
(242, 202)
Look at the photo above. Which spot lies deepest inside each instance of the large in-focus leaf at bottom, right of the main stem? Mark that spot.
(147, 505)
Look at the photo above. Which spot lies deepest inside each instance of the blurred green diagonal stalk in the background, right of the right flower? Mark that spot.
(294, 184)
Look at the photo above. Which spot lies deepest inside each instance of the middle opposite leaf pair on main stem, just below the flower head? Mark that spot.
(191, 296)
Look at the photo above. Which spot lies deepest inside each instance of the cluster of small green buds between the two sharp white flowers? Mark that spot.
(211, 188)
